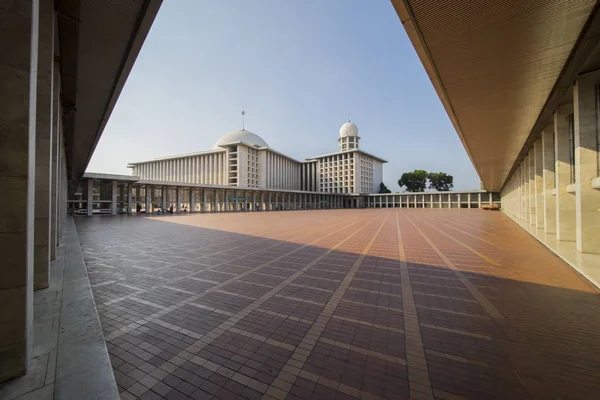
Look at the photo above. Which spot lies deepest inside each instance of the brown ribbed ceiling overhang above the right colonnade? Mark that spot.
(495, 64)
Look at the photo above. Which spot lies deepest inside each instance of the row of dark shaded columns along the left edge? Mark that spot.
(33, 172)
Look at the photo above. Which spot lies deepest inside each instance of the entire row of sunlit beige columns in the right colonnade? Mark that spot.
(556, 187)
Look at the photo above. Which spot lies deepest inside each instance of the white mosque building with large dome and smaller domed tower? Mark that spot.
(243, 159)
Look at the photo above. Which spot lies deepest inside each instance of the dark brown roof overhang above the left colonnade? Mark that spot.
(99, 41)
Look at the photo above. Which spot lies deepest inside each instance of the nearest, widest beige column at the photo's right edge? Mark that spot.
(587, 199)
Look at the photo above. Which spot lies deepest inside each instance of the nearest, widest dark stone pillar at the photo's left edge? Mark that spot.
(18, 85)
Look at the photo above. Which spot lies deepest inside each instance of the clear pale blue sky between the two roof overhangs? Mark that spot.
(298, 68)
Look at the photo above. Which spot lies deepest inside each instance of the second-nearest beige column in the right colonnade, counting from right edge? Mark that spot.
(565, 201)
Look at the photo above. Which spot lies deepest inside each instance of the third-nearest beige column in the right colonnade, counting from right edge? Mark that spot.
(548, 180)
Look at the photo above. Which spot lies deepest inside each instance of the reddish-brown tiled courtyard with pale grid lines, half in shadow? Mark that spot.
(340, 304)
